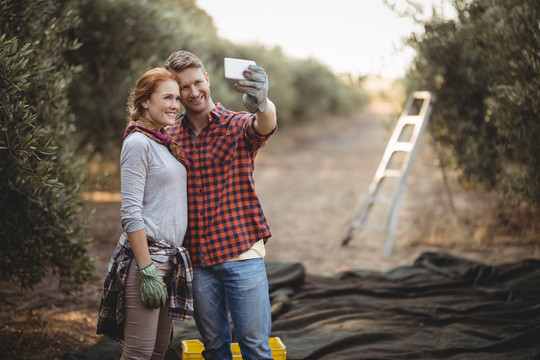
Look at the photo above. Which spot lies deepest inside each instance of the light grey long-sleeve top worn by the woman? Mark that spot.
(153, 188)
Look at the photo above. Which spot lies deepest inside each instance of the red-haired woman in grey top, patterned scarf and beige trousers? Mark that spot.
(149, 277)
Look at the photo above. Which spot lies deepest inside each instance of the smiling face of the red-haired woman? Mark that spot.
(164, 104)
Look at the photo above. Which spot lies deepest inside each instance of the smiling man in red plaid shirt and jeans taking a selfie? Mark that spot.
(227, 229)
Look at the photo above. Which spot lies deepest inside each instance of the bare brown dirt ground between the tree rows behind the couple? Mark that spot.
(311, 180)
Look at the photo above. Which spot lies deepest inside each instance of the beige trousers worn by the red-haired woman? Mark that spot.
(147, 332)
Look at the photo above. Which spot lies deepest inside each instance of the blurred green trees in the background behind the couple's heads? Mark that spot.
(121, 39)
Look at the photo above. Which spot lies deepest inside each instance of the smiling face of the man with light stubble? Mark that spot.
(194, 90)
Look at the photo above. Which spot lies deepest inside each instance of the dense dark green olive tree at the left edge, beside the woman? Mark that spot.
(42, 229)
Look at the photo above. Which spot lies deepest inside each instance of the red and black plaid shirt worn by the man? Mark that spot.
(225, 216)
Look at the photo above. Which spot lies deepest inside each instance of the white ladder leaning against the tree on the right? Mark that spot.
(396, 164)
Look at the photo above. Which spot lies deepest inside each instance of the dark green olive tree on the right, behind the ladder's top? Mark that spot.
(484, 68)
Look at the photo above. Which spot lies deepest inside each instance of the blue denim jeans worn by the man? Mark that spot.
(240, 287)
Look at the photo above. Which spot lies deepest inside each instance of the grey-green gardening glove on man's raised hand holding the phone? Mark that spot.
(255, 89)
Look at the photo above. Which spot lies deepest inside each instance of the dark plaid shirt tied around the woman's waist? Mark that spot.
(111, 308)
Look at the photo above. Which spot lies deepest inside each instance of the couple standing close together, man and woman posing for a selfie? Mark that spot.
(162, 269)
